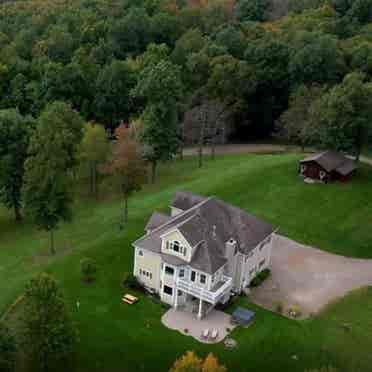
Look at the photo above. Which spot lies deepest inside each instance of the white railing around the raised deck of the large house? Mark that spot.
(203, 293)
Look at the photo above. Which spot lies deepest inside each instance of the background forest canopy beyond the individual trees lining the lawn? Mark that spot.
(91, 54)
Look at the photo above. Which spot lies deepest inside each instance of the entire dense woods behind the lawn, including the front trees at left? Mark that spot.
(146, 64)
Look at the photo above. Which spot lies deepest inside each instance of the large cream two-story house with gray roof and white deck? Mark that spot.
(205, 250)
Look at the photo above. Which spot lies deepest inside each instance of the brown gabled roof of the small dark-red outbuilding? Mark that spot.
(333, 161)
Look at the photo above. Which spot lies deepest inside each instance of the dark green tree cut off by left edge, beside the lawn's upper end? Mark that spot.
(15, 132)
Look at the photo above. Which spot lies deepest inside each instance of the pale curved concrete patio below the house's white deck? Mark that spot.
(181, 321)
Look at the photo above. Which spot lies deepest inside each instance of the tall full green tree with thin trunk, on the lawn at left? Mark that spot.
(53, 153)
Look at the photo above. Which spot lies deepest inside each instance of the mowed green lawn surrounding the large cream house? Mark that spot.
(115, 337)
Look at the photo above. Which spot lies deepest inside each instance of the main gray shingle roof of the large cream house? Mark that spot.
(207, 226)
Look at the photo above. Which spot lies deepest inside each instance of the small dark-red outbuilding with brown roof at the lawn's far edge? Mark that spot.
(328, 166)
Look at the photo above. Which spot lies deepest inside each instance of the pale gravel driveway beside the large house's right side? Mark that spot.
(308, 277)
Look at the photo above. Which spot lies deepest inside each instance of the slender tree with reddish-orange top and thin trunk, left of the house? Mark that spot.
(126, 166)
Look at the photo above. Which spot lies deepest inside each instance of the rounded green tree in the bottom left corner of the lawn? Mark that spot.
(49, 335)
